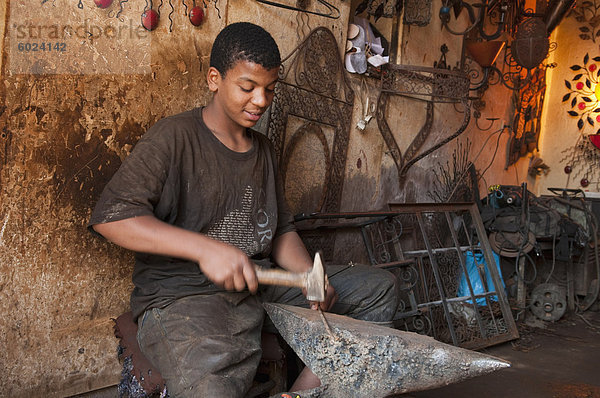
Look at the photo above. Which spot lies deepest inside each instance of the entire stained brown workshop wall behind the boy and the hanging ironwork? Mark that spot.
(69, 118)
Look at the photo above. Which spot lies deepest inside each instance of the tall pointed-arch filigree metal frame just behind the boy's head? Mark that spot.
(314, 89)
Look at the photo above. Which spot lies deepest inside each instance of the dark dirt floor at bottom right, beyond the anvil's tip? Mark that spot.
(550, 360)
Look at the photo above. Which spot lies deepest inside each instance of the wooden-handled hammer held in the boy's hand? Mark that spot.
(313, 281)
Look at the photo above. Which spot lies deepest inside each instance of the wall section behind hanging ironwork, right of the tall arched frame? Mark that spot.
(372, 179)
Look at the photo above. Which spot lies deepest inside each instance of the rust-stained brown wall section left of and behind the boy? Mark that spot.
(68, 118)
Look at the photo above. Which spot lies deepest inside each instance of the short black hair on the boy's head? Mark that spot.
(244, 41)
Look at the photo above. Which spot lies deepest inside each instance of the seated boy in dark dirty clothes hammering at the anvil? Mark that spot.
(200, 202)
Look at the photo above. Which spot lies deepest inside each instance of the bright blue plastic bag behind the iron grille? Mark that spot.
(471, 261)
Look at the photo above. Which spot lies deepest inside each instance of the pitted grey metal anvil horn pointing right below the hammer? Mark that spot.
(360, 359)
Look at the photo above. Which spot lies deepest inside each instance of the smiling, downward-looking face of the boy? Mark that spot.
(245, 92)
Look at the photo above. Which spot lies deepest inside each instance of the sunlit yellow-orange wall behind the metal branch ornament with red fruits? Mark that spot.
(560, 131)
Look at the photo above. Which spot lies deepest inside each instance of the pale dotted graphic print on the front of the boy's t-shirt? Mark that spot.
(237, 227)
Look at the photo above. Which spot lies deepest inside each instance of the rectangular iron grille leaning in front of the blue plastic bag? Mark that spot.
(473, 320)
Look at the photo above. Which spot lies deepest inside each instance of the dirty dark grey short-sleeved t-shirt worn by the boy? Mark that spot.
(183, 175)
